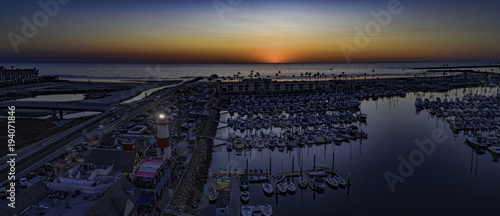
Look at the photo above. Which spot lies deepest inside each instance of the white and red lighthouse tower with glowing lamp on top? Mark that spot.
(162, 120)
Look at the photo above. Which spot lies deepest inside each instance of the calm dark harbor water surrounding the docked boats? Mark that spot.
(453, 180)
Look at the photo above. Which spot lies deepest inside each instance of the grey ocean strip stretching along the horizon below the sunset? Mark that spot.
(151, 70)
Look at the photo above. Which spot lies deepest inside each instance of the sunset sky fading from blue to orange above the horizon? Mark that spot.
(253, 31)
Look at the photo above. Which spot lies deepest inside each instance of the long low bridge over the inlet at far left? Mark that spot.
(49, 105)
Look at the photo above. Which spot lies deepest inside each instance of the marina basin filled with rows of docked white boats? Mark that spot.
(249, 151)
